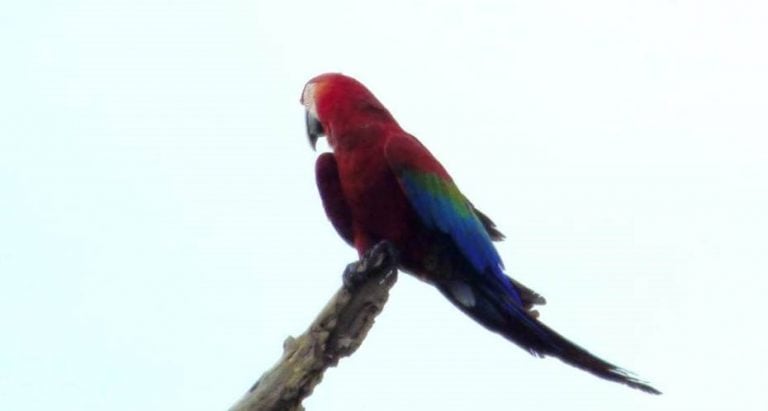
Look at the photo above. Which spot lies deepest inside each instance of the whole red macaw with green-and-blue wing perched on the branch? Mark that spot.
(381, 184)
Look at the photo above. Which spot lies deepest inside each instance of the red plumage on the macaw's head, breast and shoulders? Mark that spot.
(361, 194)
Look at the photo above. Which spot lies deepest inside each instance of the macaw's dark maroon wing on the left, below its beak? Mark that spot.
(334, 202)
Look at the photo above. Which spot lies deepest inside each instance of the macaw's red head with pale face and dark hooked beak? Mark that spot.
(337, 105)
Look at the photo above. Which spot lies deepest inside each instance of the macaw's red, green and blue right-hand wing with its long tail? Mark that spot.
(485, 293)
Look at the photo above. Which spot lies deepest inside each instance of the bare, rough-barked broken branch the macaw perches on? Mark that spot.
(337, 332)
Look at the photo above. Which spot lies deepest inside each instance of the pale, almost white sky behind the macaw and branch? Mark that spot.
(161, 234)
